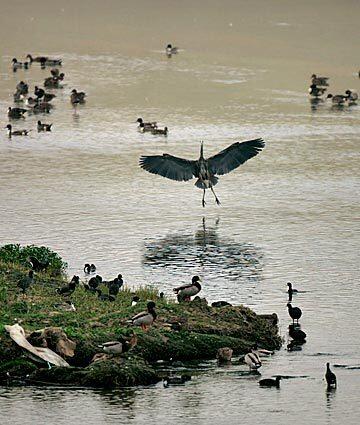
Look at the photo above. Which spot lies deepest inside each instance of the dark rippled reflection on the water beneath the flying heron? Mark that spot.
(205, 250)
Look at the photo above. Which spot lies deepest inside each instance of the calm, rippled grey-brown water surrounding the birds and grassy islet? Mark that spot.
(290, 214)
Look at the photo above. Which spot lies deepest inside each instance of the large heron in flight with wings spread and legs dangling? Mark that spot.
(180, 169)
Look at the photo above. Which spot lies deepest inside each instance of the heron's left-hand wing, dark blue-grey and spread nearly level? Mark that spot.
(169, 166)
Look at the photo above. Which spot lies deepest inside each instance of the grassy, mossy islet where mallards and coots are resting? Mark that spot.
(182, 332)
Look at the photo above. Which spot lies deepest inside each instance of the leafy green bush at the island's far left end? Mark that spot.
(16, 254)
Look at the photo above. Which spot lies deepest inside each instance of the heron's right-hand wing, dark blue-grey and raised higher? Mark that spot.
(234, 155)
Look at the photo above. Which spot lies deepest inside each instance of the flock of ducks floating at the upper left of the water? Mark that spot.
(41, 102)
